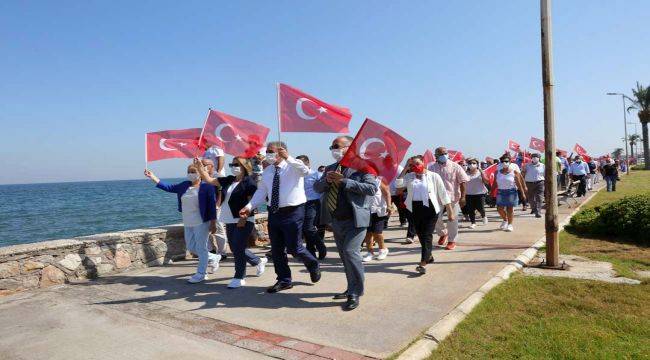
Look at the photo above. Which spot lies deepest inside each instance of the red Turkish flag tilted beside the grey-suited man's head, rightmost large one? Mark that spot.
(376, 150)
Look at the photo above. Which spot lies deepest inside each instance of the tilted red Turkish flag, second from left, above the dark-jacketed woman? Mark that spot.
(237, 137)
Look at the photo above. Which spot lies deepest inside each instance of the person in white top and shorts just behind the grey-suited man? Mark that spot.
(380, 210)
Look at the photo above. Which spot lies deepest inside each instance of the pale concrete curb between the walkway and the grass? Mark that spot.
(423, 348)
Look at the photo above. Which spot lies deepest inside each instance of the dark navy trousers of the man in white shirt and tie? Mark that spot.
(285, 232)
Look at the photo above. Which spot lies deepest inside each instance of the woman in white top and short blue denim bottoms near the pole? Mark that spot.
(508, 179)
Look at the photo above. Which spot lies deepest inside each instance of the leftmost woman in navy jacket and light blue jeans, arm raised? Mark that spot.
(197, 203)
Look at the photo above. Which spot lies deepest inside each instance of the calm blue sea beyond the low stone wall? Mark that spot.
(39, 212)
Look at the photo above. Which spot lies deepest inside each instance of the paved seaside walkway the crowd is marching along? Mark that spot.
(154, 314)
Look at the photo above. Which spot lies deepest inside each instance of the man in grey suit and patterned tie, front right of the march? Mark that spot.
(345, 205)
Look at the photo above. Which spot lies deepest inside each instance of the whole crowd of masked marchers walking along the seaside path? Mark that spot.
(219, 209)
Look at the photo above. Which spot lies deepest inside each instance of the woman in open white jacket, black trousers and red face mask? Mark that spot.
(426, 195)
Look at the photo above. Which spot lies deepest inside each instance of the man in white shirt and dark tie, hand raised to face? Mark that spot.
(282, 183)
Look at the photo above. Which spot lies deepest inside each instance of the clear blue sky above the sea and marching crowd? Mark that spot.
(82, 81)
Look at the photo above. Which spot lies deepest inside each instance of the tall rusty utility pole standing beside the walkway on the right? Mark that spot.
(550, 182)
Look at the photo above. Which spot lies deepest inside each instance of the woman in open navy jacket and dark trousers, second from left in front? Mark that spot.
(237, 189)
